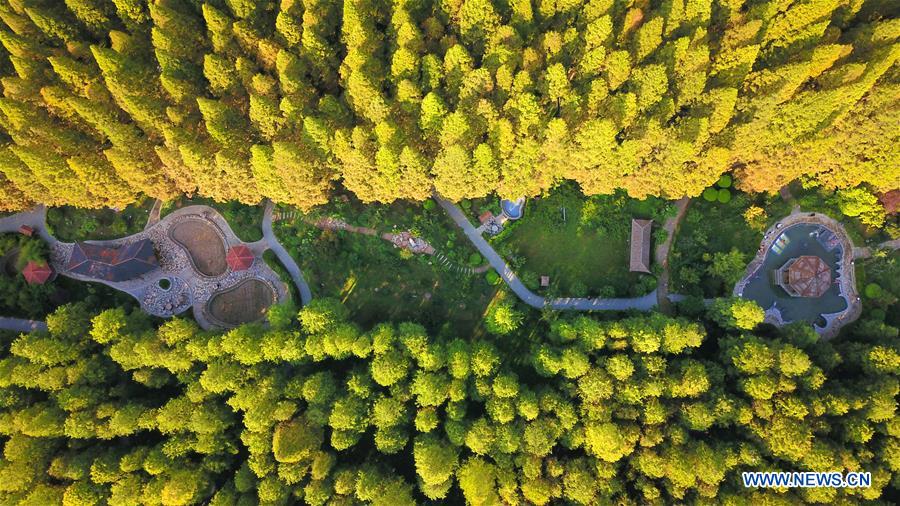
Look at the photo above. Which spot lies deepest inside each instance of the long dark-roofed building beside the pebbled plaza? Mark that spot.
(113, 263)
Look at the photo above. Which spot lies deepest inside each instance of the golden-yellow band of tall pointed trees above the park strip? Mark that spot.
(104, 100)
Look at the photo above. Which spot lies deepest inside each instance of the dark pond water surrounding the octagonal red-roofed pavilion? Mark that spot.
(798, 240)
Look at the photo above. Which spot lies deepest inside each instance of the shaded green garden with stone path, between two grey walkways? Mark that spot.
(374, 279)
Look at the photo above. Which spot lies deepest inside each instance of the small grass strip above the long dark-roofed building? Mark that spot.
(71, 224)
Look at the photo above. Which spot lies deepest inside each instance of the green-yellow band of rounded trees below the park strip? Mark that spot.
(645, 410)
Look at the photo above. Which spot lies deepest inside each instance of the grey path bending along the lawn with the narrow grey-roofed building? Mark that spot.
(645, 303)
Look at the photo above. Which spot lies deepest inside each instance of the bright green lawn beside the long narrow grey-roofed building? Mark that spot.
(585, 254)
